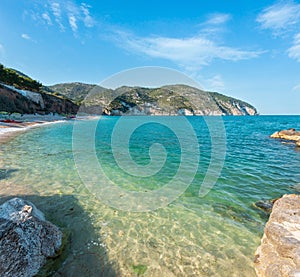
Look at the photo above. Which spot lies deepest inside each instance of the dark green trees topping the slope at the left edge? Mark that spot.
(12, 77)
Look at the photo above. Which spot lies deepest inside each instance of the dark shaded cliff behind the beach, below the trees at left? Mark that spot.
(25, 102)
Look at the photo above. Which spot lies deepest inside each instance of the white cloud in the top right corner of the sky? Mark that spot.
(280, 16)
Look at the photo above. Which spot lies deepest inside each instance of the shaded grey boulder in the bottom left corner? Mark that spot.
(26, 239)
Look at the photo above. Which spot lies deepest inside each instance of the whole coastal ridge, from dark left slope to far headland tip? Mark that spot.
(19, 93)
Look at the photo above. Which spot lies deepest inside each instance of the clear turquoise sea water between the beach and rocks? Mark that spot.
(214, 235)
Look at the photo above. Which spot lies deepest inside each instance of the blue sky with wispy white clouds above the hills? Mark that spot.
(247, 49)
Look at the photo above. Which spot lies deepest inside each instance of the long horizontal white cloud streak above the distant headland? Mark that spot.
(189, 52)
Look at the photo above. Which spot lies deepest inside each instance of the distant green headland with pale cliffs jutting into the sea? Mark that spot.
(165, 100)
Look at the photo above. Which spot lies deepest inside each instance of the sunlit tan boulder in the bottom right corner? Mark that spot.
(279, 252)
